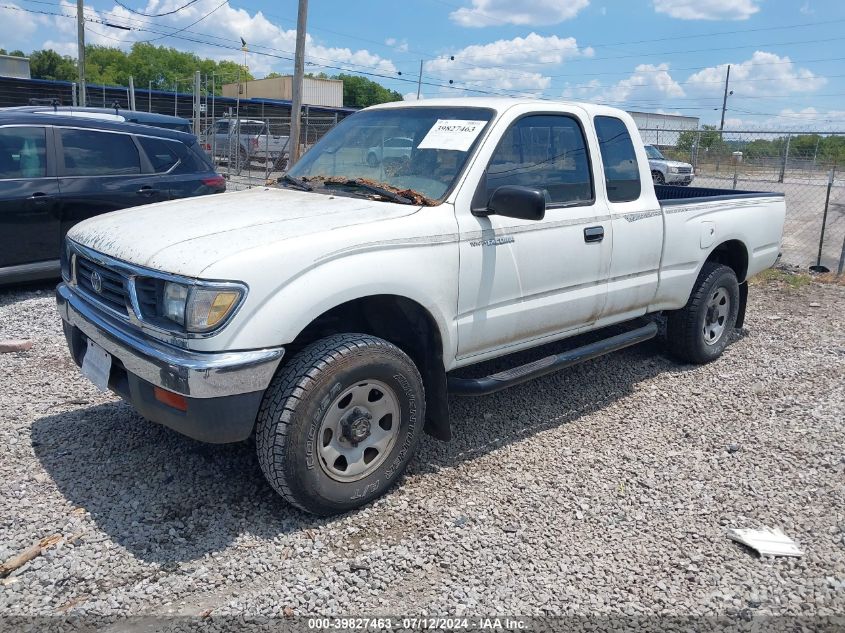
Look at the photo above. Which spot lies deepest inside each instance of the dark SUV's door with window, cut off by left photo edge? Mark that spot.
(29, 196)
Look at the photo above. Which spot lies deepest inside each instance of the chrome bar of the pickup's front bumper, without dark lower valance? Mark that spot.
(186, 372)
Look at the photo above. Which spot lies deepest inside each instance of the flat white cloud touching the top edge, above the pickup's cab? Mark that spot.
(525, 13)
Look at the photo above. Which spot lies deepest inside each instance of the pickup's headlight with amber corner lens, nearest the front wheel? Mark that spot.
(198, 308)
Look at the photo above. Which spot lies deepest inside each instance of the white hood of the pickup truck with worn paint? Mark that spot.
(185, 237)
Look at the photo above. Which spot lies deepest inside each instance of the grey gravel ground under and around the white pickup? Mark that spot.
(604, 489)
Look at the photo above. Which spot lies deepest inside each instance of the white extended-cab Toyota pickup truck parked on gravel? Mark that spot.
(327, 315)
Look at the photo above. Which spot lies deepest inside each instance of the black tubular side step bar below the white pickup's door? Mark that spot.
(549, 364)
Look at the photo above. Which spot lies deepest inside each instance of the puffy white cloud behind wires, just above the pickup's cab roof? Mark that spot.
(517, 64)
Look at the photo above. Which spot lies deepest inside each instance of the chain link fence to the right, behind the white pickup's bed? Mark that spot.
(807, 166)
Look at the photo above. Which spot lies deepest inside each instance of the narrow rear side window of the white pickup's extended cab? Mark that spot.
(621, 170)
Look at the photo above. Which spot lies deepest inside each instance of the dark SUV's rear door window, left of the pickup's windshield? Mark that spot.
(96, 153)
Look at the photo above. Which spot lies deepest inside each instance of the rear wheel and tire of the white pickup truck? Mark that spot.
(699, 332)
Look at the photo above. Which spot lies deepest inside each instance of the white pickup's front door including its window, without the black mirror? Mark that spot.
(523, 280)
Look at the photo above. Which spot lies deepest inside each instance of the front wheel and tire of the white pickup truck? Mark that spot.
(313, 411)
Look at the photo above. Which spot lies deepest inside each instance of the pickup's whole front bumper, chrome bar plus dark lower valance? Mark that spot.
(223, 390)
